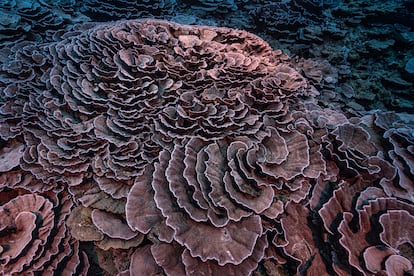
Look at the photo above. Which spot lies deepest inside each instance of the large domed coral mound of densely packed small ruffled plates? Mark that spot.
(109, 102)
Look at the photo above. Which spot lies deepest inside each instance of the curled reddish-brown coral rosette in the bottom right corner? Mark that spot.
(368, 250)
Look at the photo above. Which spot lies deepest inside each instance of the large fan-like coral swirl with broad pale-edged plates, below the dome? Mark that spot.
(221, 190)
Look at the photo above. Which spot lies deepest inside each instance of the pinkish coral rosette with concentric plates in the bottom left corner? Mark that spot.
(34, 237)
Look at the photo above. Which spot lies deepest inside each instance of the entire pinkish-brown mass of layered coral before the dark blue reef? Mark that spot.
(144, 147)
